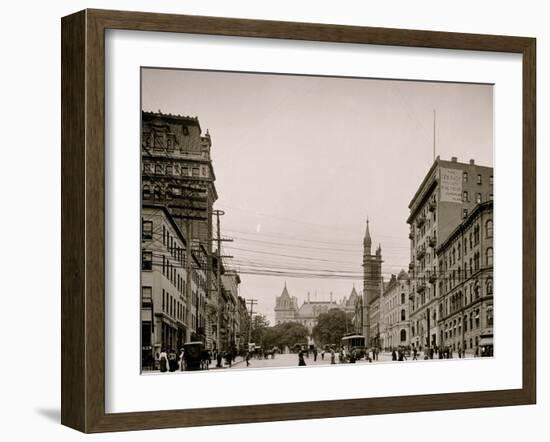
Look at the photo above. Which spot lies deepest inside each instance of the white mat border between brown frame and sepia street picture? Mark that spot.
(127, 390)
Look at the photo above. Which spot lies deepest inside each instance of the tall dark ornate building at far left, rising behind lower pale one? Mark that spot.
(177, 174)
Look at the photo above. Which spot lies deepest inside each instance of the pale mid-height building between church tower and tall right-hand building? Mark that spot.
(395, 322)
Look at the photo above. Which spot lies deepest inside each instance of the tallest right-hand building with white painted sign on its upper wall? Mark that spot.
(447, 195)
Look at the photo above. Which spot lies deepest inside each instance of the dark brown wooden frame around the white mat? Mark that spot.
(83, 216)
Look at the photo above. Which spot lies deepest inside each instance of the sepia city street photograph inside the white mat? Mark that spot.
(299, 220)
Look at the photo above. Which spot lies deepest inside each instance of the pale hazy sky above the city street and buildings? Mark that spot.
(302, 161)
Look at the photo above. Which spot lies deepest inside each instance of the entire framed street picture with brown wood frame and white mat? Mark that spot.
(267, 221)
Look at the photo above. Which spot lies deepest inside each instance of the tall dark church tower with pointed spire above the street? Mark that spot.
(372, 281)
